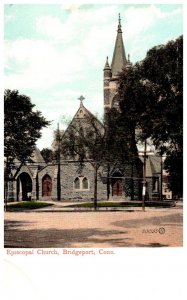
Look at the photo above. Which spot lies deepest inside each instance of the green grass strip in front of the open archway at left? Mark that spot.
(26, 205)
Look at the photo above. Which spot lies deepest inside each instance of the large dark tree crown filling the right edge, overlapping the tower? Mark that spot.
(151, 98)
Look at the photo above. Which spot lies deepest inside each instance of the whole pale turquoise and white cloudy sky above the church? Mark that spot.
(54, 53)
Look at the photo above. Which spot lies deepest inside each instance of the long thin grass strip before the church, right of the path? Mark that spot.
(122, 204)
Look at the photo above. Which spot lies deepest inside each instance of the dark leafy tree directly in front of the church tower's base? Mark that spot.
(121, 147)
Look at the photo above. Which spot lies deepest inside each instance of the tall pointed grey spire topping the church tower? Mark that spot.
(119, 59)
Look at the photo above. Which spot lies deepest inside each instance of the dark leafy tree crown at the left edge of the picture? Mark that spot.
(22, 126)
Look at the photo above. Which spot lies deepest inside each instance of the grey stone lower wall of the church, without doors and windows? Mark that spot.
(70, 170)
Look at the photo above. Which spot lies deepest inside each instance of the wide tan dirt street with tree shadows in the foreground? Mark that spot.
(62, 229)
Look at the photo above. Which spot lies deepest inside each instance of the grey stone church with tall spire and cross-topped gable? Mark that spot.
(66, 181)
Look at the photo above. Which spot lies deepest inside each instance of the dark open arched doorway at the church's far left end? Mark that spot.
(24, 186)
